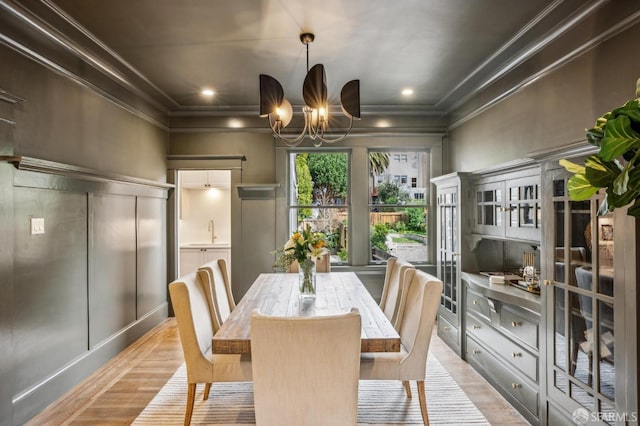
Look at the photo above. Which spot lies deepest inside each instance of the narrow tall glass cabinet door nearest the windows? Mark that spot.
(448, 246)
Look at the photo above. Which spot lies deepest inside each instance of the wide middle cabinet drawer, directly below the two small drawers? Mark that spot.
(510, 351)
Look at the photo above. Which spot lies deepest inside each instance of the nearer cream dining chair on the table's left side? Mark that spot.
(196, 332)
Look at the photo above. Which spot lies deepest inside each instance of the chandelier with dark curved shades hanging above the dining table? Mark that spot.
(316, 110)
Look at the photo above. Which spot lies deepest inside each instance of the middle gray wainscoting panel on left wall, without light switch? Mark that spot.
(112, 287)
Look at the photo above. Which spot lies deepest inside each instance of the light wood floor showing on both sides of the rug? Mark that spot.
(119, 391)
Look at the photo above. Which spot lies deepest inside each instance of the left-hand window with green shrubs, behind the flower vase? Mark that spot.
(319, 197)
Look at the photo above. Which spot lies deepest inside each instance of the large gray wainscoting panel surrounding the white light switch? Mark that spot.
(50, 290)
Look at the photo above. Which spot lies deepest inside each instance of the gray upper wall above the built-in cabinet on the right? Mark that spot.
(555, 109)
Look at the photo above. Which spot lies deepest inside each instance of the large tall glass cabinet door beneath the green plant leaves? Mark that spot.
(580, 332)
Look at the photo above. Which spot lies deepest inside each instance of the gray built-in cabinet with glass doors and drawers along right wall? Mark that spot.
(573, 347)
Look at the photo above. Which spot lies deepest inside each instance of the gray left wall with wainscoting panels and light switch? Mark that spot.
(96, 280)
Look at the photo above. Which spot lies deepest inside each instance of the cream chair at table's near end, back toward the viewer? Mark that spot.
(300, 375)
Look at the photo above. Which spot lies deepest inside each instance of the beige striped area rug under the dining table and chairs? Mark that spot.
(379, 403)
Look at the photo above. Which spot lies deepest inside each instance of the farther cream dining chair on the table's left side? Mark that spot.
(214, 276)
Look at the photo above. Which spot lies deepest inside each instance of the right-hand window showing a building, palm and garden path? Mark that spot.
(397, 213)
